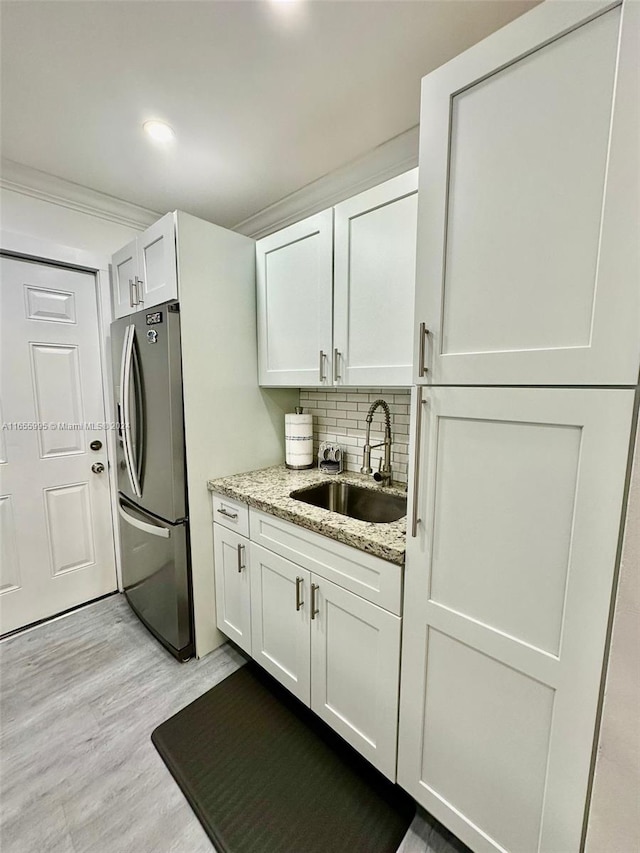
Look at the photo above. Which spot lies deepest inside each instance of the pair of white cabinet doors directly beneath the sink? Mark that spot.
(336, 652)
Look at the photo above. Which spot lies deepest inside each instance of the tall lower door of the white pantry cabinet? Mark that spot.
(507, 592)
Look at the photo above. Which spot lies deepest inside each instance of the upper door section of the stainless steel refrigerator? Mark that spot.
(148, 373)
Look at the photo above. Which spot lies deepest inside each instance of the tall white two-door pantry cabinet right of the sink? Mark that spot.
(527, 294)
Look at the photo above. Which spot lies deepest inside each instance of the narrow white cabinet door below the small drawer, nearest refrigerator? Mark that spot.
(233, 585)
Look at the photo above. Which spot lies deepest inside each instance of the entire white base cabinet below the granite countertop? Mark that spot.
(337, 651)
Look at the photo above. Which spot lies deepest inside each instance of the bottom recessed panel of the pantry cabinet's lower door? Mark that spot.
(474, 700)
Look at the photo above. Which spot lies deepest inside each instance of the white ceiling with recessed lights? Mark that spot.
(265, 97)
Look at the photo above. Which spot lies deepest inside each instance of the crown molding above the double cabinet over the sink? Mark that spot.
(393, 157)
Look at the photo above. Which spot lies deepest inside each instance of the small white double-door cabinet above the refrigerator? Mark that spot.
(144, 271)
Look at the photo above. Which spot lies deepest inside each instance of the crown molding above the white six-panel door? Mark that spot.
(19, 178)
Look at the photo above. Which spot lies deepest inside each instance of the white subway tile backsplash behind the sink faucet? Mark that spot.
(339, 417)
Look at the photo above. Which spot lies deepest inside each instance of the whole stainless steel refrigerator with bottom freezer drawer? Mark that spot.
(152, 495)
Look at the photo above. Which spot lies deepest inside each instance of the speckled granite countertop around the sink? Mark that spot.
(269, 489)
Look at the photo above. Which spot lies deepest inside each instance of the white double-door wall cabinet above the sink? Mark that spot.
(349, 324)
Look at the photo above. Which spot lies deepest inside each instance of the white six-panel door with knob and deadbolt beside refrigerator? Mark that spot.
(57, 535)
